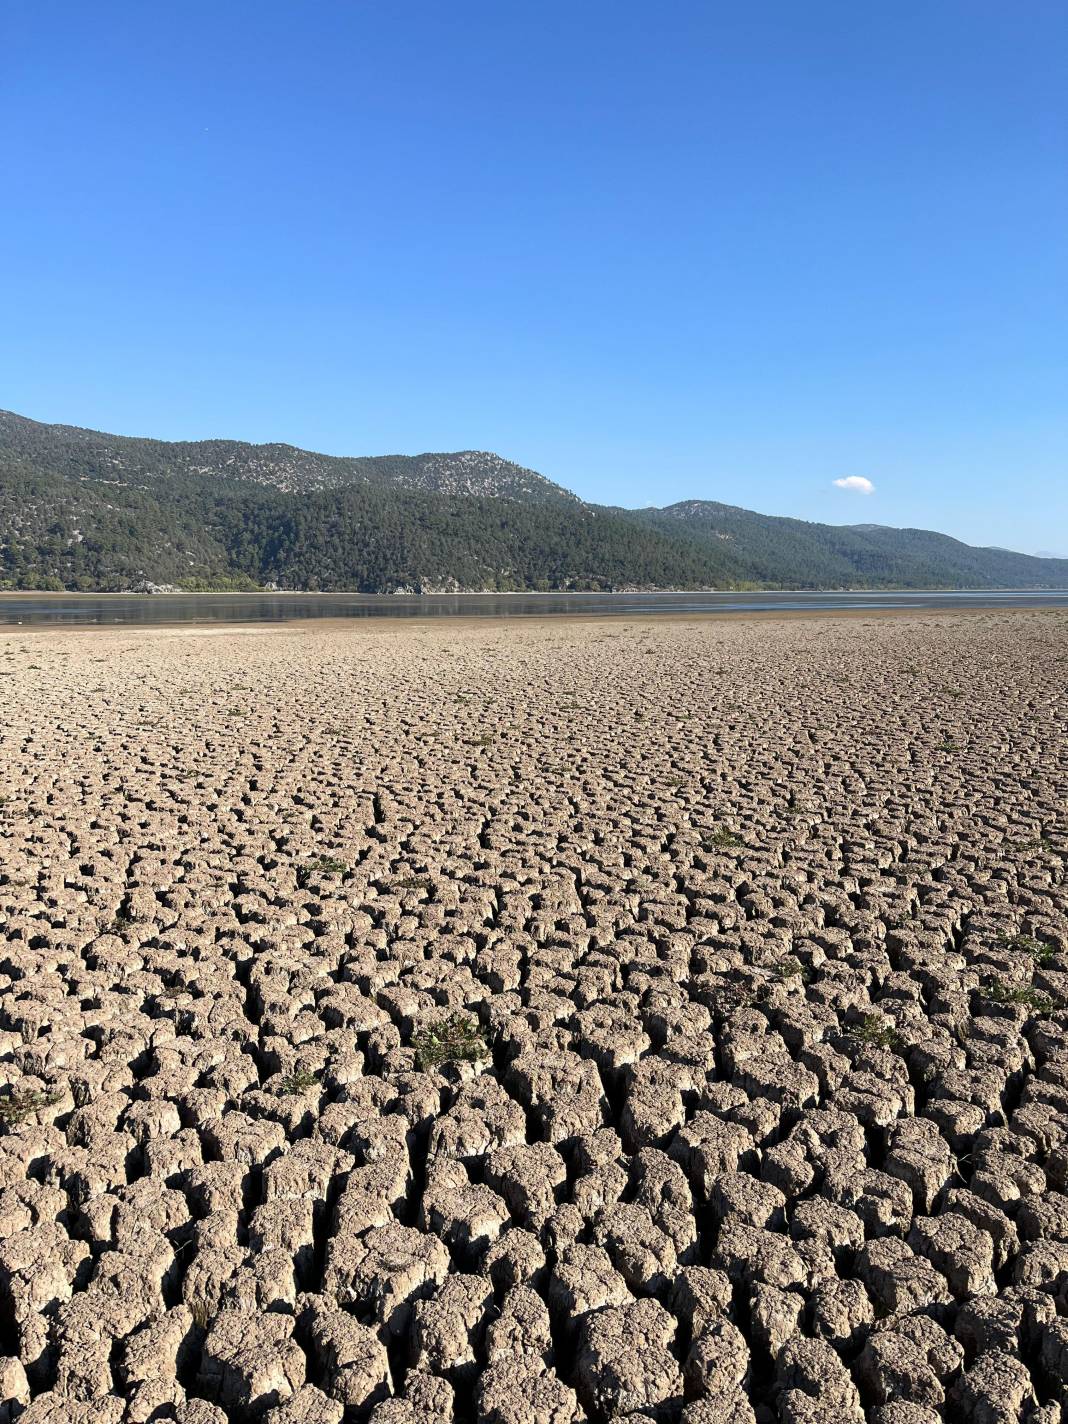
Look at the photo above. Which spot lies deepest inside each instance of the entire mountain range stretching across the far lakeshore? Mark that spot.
(86, 511)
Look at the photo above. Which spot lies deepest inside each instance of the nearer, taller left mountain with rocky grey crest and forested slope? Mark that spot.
(98, 512)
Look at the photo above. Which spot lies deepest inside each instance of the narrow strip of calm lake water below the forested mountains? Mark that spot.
(213, 609)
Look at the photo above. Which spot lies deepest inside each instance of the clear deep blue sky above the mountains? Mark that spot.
(657, 251)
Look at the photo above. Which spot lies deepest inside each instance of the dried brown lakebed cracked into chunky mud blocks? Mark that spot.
(536, 1023)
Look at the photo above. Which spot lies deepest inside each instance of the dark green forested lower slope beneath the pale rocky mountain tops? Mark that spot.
(92, 536)
